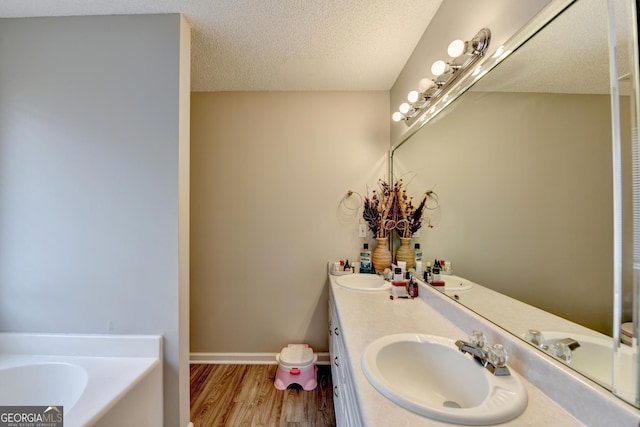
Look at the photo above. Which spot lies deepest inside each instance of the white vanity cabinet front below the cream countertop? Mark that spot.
(345, 402)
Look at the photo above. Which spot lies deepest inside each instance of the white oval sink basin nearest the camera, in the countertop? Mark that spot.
(428, 375)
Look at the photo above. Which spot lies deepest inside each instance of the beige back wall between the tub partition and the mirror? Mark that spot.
(268, 173)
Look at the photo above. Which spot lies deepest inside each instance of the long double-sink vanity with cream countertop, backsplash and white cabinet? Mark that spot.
(396, 362)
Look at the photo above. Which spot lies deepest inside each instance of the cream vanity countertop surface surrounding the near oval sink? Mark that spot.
(365, 316)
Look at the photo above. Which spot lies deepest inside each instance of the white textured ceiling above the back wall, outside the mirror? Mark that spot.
(262, 45)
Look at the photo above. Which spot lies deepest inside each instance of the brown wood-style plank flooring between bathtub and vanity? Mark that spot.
(244, 395)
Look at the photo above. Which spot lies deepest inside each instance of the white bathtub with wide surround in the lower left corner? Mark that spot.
(99, 380)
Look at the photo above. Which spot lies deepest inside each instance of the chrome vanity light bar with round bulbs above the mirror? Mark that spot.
(464, 54)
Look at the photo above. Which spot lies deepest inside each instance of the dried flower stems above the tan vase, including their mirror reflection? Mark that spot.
(391, 208)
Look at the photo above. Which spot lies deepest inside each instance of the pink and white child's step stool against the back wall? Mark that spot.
(296, 365)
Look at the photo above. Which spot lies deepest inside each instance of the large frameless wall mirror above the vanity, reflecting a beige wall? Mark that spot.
(535, 208)
